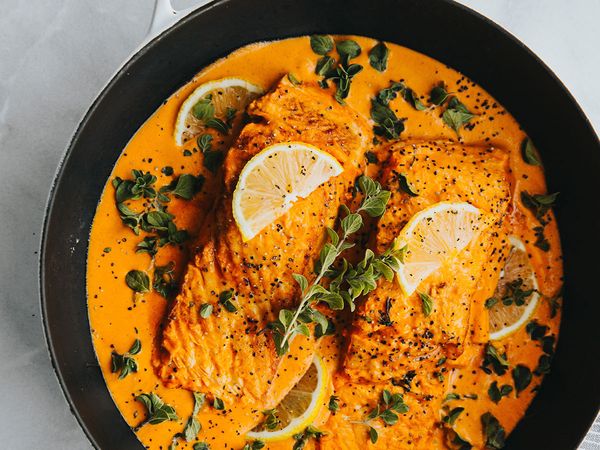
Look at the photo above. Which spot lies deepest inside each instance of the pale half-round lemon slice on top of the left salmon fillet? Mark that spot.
(274, 179)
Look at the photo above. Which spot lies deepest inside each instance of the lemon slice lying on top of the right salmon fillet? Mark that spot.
(434, 235)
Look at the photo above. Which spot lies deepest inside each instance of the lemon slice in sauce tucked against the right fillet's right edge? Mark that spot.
(517, 274)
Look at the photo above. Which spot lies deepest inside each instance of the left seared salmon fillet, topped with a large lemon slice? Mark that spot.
(229, 354)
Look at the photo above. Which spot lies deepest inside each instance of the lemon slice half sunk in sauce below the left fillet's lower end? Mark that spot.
(300, 407)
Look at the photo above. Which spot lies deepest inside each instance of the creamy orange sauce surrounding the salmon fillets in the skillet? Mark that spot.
(118, 317)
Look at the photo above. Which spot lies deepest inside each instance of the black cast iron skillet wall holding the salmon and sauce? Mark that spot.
(570, 396)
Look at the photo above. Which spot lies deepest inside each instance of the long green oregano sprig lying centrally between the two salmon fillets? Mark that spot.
(347, 282)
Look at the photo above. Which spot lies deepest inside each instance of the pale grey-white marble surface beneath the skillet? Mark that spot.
(54, 58)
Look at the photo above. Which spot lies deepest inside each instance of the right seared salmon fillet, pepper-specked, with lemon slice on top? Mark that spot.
(392, 345)
